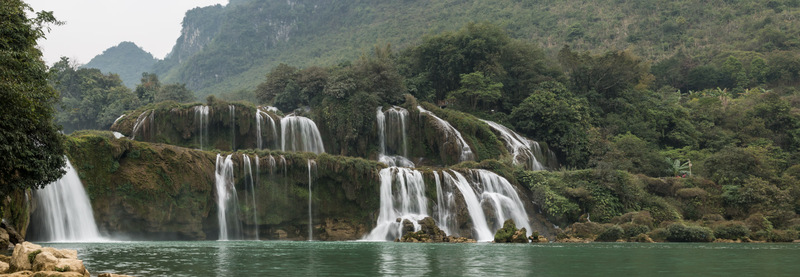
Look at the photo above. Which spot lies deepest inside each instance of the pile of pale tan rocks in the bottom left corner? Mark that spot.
(60, 262)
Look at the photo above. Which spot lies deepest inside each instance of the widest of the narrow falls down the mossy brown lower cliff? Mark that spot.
(226, 197)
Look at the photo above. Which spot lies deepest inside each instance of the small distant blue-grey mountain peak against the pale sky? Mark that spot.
(126, 59)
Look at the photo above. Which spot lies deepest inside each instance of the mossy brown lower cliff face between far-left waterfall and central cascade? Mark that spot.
(152, 190)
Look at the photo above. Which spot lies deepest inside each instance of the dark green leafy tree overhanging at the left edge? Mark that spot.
(30, 143)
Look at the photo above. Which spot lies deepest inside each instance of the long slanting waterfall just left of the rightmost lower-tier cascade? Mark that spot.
(481, 230)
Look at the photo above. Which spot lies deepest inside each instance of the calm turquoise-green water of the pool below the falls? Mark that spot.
(279, 258)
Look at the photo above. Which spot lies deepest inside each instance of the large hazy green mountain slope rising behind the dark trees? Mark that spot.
(228, 48)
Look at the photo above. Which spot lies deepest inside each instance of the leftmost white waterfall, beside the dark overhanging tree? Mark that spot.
(66, 211)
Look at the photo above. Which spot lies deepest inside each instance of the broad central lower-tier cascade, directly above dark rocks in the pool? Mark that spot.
(402, 195)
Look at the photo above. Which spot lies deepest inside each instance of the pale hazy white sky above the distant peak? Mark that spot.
(93, 26)
